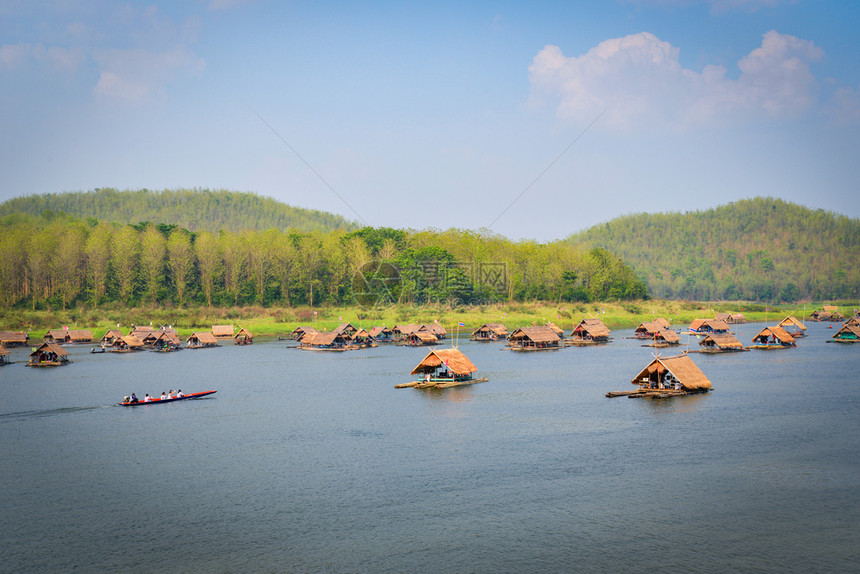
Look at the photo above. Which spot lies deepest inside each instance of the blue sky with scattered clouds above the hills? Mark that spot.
(534, 120)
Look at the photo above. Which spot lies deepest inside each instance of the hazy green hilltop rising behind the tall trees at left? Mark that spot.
(193, 209)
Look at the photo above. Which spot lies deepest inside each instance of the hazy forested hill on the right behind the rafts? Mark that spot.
(760, 249)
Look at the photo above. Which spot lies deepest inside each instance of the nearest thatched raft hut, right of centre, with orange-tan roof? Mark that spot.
(667, 377)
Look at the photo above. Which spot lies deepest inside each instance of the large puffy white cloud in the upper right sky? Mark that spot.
(638, 80)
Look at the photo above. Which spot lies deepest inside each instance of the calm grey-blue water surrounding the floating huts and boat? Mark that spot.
(314, 462)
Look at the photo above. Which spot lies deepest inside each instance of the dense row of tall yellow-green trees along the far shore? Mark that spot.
(56, 261)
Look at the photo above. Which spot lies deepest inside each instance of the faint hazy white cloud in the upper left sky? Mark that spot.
(135, 76)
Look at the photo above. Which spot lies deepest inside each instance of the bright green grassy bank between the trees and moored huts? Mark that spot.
(273, 322)
